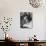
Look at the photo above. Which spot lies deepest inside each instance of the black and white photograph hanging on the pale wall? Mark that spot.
(26, 20)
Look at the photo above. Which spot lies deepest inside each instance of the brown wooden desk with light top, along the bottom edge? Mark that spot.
(28, 43)
